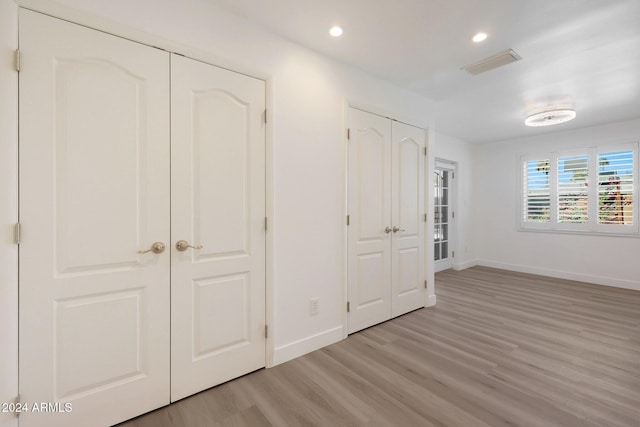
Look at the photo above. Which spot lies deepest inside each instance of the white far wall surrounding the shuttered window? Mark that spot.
(604, 260)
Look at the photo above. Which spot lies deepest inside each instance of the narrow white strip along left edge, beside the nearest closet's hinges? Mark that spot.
(8, 212)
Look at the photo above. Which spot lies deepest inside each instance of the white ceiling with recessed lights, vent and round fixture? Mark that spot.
(581, 54)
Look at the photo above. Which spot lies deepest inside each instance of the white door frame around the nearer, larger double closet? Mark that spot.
(9, 191)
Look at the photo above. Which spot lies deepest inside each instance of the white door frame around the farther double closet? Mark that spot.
(429, 162)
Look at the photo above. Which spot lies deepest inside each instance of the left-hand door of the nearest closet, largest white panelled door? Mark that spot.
(94, 190)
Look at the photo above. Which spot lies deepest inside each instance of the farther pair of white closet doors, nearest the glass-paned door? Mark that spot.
(386, 219)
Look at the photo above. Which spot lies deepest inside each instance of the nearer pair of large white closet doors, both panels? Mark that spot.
(142, 255)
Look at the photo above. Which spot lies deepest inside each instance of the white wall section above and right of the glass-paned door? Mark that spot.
(460, 152)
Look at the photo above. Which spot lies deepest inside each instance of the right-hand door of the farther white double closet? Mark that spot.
(407, 261)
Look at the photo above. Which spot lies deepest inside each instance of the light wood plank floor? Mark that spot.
(499, 349)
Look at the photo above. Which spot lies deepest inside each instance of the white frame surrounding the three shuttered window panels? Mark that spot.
(592, 225)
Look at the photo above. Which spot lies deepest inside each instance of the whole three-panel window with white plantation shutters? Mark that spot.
(588, 190)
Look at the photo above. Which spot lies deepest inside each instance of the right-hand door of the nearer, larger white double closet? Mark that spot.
(218, 208)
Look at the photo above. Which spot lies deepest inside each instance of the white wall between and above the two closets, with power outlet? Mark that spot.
(307, 94)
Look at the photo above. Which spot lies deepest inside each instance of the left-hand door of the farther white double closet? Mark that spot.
(369, 205)
